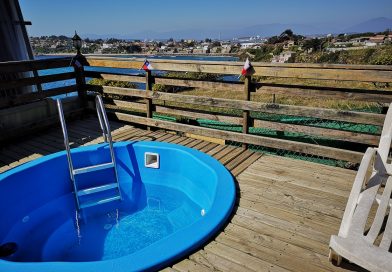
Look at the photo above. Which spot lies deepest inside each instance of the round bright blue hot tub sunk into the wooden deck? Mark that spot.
(170, 206)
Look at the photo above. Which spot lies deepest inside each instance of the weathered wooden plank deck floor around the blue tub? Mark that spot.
(285, 213)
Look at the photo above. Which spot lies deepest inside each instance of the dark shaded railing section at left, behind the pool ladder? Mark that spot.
(21, 113)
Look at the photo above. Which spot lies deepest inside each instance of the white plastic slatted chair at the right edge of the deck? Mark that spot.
(354, 242)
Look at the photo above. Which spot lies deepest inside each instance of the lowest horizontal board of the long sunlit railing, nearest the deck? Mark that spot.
(312, 149)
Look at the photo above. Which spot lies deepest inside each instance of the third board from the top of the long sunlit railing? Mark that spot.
(327, 114)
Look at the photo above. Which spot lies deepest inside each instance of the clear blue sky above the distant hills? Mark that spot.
(129, 17)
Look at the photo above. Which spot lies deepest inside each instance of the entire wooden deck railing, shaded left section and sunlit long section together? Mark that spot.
(123, 103)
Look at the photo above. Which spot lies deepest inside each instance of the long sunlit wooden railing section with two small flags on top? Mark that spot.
(150, 102)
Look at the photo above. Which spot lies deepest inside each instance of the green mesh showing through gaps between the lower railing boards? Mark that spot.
(292, 136)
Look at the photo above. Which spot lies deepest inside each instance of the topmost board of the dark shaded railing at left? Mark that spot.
(31, 65)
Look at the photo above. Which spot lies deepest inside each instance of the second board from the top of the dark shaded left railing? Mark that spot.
(9, 84)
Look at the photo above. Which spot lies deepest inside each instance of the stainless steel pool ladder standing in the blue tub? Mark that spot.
(104, 123)
